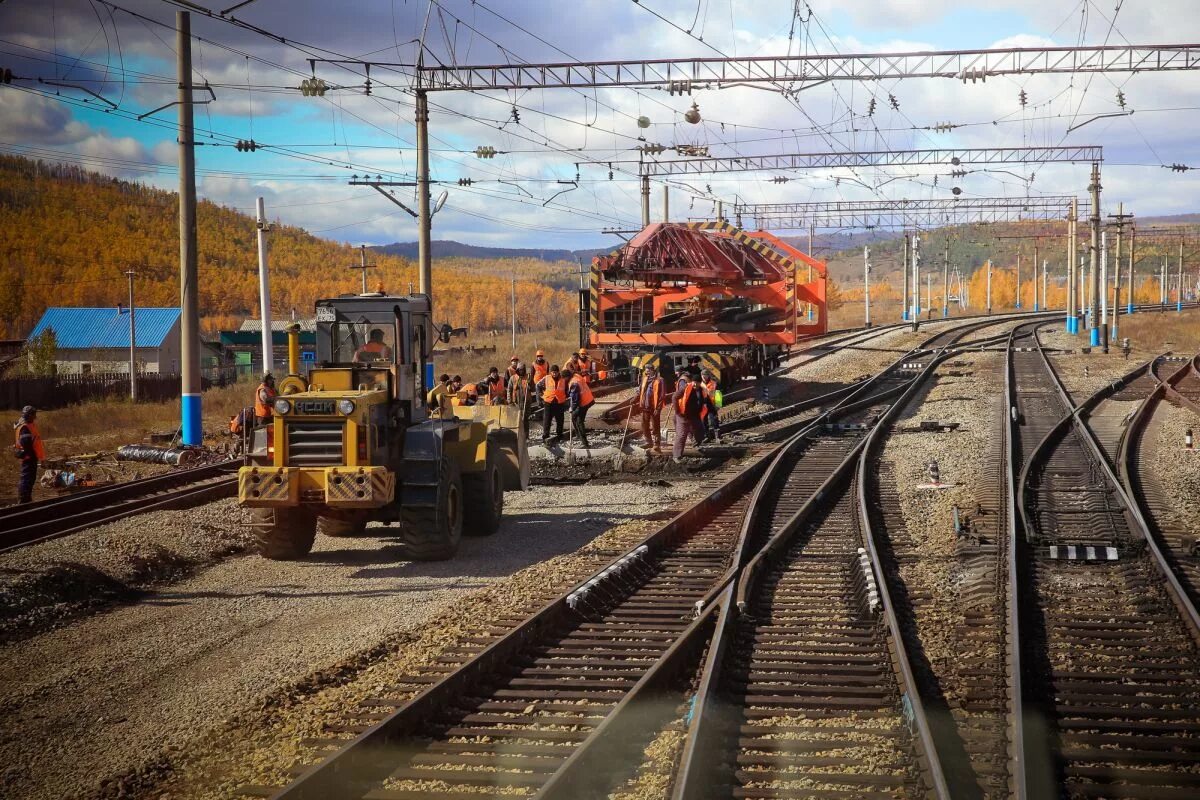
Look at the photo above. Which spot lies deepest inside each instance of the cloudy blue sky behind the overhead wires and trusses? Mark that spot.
(316, 145)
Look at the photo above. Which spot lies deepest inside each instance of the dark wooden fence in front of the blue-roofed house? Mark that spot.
(58, 392)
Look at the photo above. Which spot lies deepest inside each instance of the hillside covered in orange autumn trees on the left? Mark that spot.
(69, 236)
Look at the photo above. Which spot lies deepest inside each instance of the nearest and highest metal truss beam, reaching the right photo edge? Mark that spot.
(699, 74)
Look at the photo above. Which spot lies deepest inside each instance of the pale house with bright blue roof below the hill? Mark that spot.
(98, 340)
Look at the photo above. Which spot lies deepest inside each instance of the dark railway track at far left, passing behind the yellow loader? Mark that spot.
(35, 522)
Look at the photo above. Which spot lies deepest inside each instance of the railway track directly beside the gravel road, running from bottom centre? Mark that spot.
(544, 708)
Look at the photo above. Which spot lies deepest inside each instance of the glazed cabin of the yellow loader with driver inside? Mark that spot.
(375, 342)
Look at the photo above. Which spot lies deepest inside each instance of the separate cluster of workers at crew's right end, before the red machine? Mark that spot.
(695, 401)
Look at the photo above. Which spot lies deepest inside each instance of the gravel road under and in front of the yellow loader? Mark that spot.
(230, 663)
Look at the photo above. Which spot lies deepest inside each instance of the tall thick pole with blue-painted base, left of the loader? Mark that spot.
(189, 276)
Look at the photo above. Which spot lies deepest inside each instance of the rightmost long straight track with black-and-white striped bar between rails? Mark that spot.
(1103, 676)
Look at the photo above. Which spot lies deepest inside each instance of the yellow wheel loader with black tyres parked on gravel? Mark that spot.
(355, 442)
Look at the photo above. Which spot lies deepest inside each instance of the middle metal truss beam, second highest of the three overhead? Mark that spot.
(1083, 154)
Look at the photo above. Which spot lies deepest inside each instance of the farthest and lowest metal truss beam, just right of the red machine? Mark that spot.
(904, 214)
